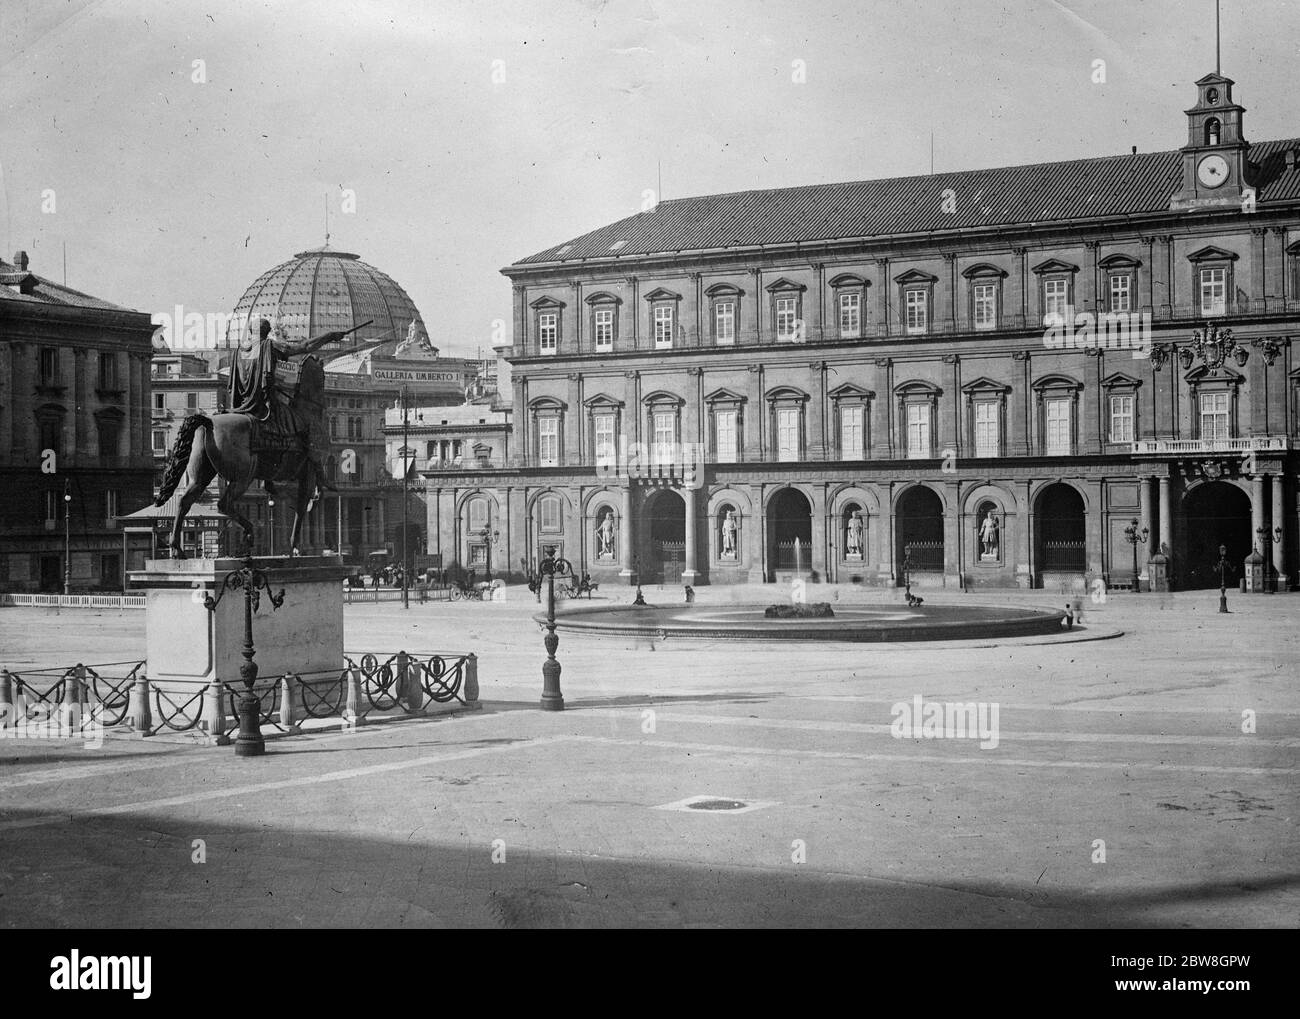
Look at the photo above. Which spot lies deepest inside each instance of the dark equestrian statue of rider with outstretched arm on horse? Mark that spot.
(275, 433)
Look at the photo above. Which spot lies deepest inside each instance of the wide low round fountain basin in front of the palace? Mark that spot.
(861, 625)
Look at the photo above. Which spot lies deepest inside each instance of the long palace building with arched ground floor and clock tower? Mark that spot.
(991, 375)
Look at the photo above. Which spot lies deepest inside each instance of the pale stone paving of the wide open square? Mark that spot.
(519, 818)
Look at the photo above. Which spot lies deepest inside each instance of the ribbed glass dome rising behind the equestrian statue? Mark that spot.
(323, 290)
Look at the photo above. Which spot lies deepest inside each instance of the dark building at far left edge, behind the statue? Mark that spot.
(75, 422)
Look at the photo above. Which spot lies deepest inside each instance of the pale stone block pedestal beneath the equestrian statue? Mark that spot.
(190, 648)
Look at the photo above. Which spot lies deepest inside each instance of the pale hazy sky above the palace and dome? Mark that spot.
(180, 149)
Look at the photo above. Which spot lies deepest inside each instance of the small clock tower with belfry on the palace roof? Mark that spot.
(1215, 164)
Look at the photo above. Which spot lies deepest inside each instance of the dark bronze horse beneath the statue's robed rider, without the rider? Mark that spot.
(224, 446)
